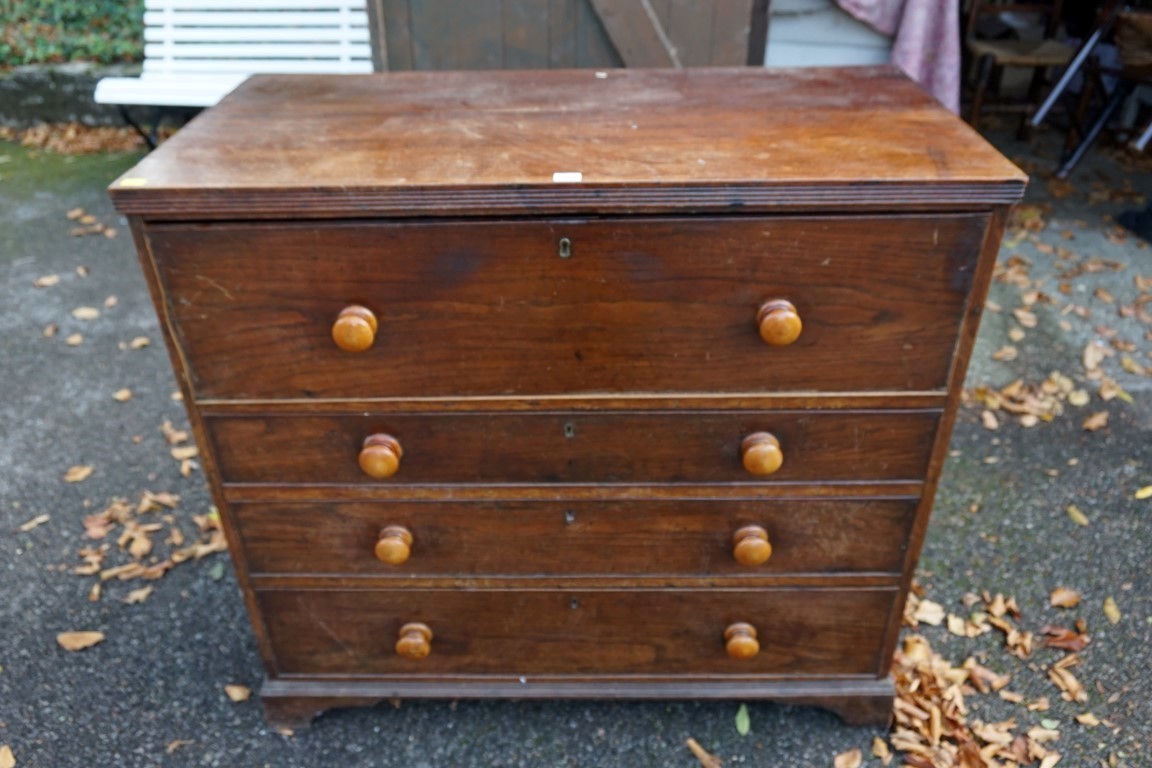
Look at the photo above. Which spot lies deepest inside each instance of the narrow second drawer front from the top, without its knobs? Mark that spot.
(575, 447)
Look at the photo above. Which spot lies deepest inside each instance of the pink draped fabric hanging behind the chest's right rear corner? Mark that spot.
(927, 43)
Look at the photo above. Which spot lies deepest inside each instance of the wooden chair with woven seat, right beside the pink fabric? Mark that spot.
(994, 56)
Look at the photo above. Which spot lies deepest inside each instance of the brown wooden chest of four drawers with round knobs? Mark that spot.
(627, 384)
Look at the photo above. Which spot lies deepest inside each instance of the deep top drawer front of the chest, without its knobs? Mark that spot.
(580, 307)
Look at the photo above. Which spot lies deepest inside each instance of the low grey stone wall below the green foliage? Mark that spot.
(58, 94)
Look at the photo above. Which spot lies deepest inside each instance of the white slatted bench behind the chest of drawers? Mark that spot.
(198, 51)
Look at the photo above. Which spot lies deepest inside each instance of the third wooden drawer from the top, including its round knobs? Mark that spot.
(524, 538)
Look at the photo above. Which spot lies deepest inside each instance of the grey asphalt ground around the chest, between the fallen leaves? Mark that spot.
(153, 693)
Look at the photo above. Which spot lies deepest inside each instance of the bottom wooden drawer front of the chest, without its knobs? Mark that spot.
(542, 633)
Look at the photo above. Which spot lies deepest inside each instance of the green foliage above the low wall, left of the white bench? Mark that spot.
(47, 32)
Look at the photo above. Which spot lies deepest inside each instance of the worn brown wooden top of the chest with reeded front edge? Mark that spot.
(643, 141)
